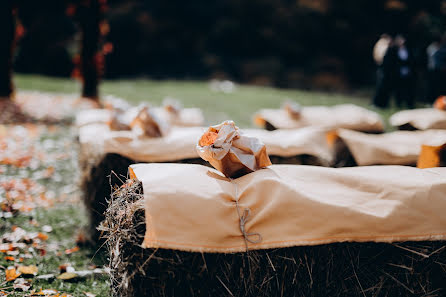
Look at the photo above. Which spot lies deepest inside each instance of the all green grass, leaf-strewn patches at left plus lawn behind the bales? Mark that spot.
(67, 218)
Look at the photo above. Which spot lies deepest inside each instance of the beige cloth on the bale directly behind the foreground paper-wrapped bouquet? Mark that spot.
(180, 143)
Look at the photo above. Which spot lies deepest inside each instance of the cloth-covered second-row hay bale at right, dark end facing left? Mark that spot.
(395, 148)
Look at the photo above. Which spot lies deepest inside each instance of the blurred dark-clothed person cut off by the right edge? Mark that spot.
(437, 82)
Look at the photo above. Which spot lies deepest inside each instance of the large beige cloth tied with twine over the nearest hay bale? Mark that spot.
(193, 208)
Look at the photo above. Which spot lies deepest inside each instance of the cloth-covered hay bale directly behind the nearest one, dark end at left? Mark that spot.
(105, 156)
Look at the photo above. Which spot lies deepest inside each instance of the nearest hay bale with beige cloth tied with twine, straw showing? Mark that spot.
(187, 230)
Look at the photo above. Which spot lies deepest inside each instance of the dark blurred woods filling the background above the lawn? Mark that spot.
(324, 44)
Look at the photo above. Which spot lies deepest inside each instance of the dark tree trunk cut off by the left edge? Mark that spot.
(7, 33)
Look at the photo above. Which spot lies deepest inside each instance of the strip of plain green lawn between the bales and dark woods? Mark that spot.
(239, 105)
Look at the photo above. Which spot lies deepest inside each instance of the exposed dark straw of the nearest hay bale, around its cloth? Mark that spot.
(341, 269)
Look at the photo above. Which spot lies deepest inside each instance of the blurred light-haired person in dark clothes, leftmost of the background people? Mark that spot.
(383, 77)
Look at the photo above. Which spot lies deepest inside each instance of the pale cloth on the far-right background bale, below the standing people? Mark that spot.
(422, 119)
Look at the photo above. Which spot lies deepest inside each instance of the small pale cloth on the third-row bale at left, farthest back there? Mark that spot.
(186, 117)
